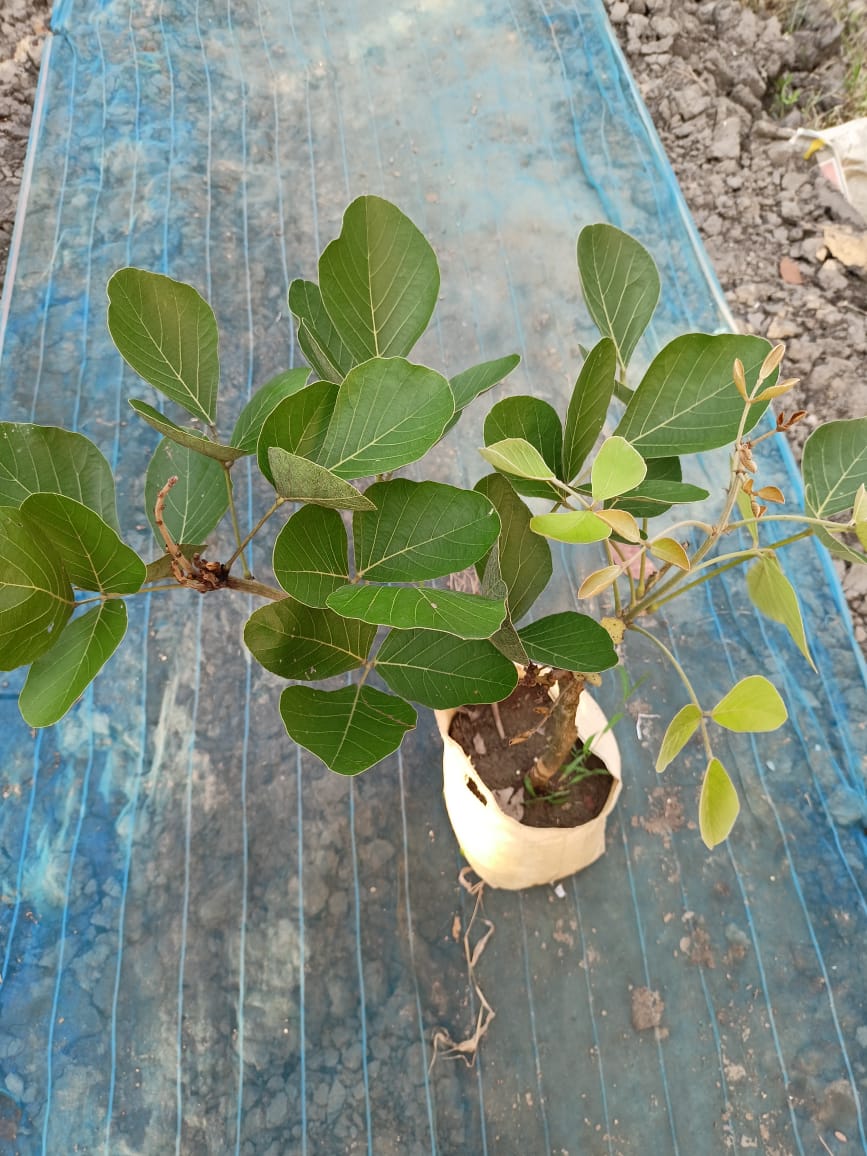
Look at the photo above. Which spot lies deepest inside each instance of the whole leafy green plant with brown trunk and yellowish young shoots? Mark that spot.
(359, 565)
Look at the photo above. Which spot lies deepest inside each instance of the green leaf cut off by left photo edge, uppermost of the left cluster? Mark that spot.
(46, 460)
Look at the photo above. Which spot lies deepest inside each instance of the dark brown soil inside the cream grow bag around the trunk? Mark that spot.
(502, 766)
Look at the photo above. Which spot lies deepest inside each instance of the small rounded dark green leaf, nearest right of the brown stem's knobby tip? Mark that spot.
(312, 555)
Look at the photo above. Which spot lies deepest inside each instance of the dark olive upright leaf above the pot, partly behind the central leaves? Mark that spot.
(525, 559)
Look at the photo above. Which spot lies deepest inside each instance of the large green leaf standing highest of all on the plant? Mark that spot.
(380, 280)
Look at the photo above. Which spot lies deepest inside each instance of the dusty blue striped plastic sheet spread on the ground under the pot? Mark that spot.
(209, 943)
